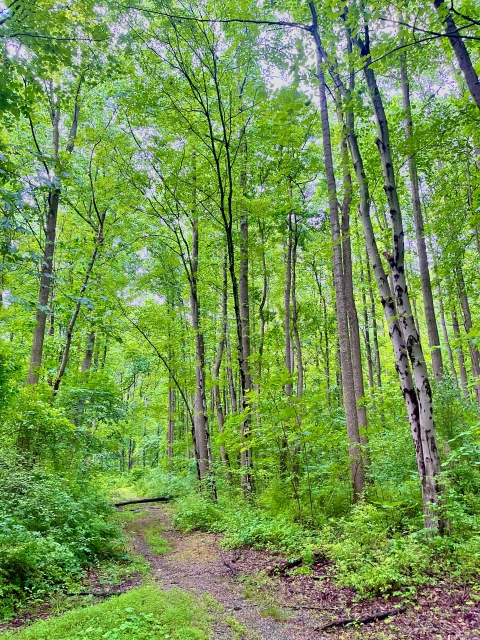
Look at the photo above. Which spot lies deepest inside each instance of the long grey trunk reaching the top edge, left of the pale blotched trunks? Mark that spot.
(350, 404)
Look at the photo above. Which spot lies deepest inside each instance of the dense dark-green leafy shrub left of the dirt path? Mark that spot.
(51, 526)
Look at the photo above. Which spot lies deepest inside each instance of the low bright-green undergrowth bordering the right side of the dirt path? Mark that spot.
(370, 552)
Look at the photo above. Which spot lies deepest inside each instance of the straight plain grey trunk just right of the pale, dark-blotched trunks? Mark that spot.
(430, 319)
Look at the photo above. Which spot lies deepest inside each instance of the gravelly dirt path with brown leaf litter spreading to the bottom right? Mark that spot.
(249, 605)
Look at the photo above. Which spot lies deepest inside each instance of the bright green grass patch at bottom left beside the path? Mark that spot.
(145, 613)
